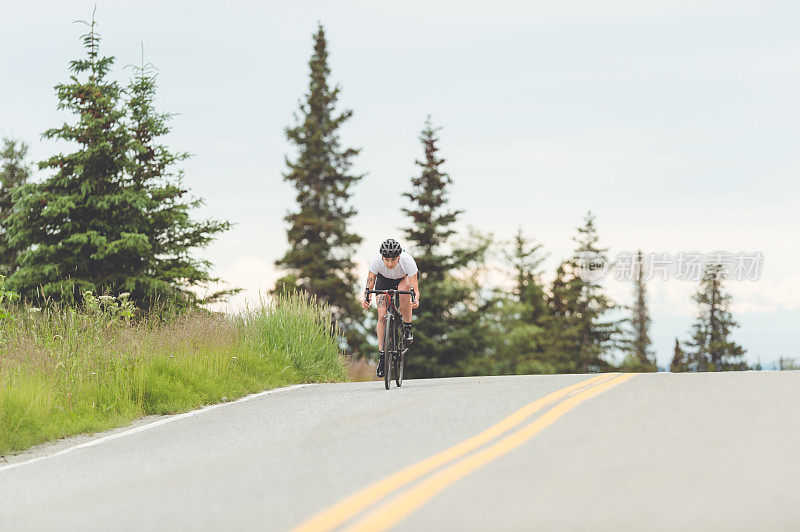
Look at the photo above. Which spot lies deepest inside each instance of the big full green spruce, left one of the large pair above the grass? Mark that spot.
(72, 230)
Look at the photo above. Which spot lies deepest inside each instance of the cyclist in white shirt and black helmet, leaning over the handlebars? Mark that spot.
(393, 269)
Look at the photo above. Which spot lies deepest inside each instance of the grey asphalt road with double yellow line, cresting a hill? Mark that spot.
(648, 452)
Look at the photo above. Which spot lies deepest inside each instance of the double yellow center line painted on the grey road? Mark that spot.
(396, 509)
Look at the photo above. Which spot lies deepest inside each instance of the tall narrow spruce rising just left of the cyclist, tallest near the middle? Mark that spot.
(321, 246)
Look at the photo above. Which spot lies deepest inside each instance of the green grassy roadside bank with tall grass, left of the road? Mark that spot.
(64, 372)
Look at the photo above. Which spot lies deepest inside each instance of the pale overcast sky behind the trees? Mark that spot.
(677, 123)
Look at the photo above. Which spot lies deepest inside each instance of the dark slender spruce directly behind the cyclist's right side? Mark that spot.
(448, 335)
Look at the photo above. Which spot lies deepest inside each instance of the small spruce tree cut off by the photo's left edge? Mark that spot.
(14, 171)
